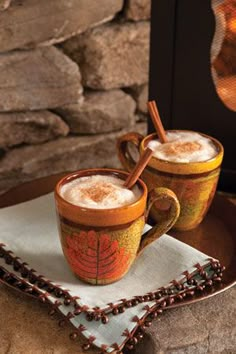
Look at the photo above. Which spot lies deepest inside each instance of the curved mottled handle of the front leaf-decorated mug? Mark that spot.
(161, 195)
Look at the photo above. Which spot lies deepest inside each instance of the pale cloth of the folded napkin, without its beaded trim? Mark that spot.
(30, 231)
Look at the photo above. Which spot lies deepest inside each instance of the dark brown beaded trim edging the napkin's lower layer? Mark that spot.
(131, 338)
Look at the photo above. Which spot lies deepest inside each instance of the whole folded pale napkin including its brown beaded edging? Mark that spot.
(110, 316)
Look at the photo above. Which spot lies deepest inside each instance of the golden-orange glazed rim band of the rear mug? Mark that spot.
(184, 167)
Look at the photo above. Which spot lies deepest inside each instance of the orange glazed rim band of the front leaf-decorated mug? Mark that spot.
(100, 217)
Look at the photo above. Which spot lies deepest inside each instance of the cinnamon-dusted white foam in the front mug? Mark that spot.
(99, 192)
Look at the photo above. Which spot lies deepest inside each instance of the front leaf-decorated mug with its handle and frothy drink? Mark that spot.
(101, 222)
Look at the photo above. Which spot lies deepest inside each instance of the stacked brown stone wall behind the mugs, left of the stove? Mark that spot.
(73, 78)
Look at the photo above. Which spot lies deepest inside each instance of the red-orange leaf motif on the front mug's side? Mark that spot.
(95, 256)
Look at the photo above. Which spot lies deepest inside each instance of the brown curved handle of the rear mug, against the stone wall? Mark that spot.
(123, 150)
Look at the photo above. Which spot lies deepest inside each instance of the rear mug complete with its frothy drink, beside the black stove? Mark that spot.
(188, 163)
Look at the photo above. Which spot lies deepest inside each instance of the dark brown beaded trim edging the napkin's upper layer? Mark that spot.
(178, 289)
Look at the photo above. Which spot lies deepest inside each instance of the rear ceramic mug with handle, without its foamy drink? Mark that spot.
(194, 183)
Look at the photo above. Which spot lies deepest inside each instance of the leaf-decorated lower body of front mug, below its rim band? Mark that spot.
(101, 256)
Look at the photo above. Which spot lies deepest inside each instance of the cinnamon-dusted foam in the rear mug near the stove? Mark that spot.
(184, 147)
